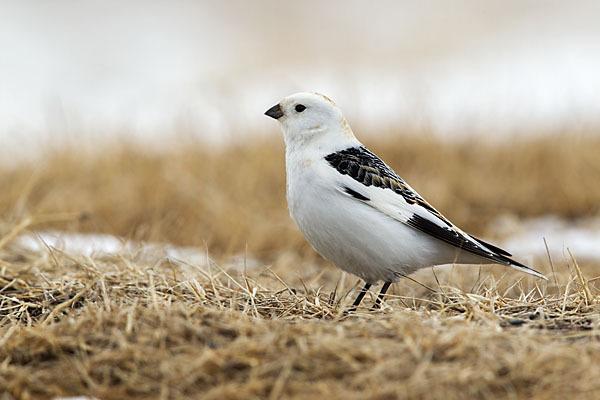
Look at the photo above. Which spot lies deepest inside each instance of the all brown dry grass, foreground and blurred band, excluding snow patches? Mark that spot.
(142, 326)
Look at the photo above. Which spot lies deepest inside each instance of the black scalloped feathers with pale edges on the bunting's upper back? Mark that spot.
(365, 167)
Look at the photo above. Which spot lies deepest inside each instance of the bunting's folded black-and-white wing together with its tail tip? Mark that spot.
(401, 202)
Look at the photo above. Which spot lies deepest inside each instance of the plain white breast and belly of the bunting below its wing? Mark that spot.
(357, 238)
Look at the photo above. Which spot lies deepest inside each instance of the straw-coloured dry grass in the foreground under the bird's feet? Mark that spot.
(118, 327)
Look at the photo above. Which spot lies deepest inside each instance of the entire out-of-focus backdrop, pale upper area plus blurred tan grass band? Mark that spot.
(489, 109)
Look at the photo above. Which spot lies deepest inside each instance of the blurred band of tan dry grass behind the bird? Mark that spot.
(232, 197)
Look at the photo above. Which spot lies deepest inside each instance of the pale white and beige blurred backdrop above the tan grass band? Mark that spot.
(455, 68)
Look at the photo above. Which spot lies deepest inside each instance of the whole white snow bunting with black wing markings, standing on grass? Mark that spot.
(356, 211)
